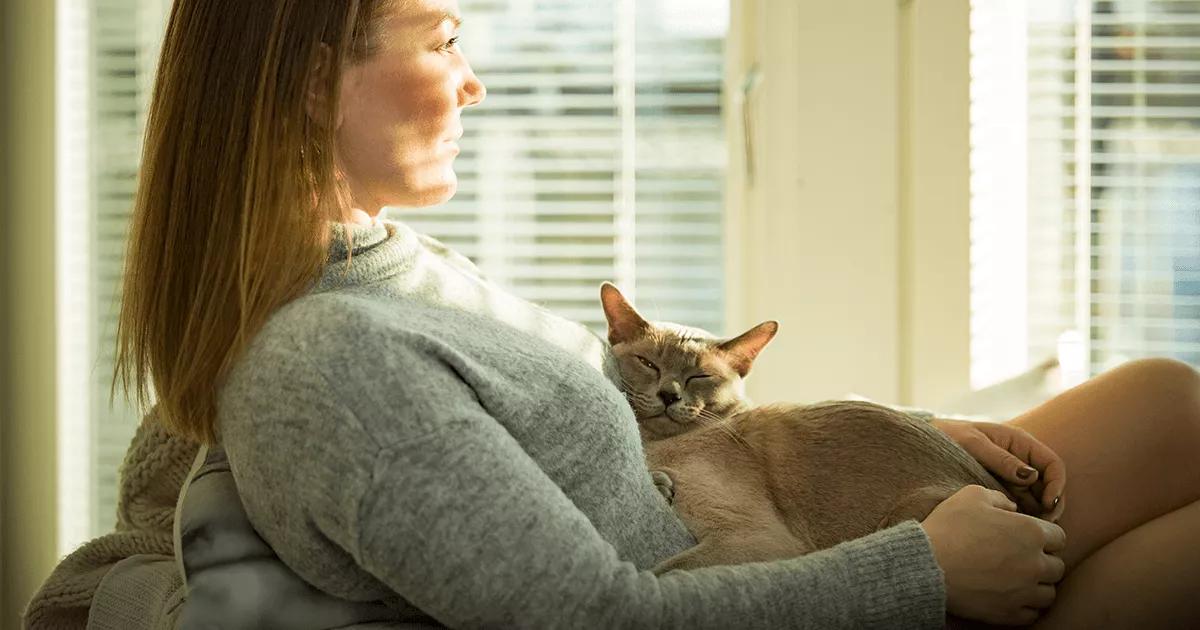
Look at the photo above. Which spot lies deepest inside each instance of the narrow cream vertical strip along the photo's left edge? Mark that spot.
(27, 297)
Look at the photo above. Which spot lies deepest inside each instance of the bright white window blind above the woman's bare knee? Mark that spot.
(1085, 183)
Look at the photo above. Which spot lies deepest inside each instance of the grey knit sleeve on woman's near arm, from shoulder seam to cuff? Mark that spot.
(470, 530)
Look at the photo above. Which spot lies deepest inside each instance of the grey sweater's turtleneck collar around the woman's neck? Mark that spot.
(380, 251)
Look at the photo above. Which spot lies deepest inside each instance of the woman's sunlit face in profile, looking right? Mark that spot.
(400, 111)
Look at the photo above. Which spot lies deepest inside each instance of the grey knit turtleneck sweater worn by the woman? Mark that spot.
(410, 433)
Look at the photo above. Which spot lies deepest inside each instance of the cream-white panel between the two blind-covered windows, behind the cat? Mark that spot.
(854, 232)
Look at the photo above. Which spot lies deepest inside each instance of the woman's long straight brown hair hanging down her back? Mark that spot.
(237, 185)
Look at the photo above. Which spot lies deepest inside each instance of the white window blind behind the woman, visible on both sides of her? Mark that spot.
(598, 155)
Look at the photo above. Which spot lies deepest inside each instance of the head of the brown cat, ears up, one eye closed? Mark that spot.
(679, 379)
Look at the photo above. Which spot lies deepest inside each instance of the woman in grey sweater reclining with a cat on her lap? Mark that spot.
(403, 431)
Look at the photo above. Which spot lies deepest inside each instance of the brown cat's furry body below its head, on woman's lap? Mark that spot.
(799, 479)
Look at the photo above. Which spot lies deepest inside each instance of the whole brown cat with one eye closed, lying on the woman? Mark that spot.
(758, 484)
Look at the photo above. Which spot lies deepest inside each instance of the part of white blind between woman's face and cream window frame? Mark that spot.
(598, 155)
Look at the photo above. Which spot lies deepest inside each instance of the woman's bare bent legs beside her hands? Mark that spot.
(1131, 440)
